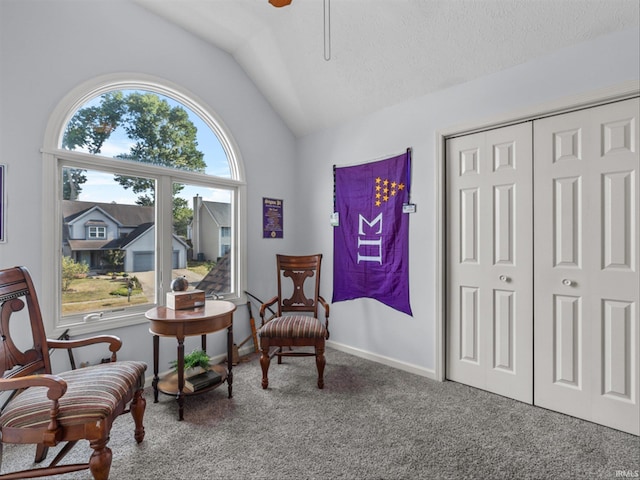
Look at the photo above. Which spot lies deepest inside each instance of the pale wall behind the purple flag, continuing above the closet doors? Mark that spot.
(364, 325)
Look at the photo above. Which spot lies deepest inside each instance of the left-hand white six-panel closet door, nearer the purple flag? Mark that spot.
(489, 263)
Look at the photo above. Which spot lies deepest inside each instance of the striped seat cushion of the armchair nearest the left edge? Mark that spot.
(92, 394)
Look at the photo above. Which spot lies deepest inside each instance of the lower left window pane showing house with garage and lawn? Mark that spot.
(108, 243)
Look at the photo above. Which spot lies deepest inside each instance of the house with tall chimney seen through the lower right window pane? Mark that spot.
(210, 229)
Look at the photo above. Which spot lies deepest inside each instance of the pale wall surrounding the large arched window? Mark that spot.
(49, 47)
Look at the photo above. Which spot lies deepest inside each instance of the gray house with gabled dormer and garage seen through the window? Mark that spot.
(91, 229)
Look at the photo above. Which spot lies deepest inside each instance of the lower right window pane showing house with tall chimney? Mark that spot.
(203, 218)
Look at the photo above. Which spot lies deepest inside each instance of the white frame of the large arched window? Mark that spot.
(54, 157)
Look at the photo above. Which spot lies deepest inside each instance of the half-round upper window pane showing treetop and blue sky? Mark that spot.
(149, 128)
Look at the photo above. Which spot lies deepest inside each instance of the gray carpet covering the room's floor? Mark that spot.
(369, 422)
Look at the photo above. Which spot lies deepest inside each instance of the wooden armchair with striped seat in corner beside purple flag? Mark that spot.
(296, 322)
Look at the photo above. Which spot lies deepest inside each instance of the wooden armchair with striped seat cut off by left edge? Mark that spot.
(46, 409)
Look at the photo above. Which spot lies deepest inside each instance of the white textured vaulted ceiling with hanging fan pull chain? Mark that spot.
(384, 51)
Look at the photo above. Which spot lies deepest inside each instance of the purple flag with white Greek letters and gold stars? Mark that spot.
(371, 241)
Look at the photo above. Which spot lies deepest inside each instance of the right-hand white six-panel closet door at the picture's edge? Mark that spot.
(586, 264)
